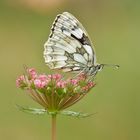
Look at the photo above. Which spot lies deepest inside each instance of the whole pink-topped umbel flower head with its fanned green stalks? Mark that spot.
(54, 92)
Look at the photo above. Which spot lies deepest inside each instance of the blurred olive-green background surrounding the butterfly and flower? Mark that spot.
(114, 27)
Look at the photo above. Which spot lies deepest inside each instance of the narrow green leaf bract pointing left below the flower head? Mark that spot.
(32, 110)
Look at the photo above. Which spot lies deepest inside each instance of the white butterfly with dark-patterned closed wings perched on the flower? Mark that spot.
(69, 48)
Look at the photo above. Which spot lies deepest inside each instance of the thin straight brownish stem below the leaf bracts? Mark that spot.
(53, 126)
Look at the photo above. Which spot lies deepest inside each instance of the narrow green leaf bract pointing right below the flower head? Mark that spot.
(75, 114)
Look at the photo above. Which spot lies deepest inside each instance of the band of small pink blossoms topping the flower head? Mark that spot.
(40, 81)
